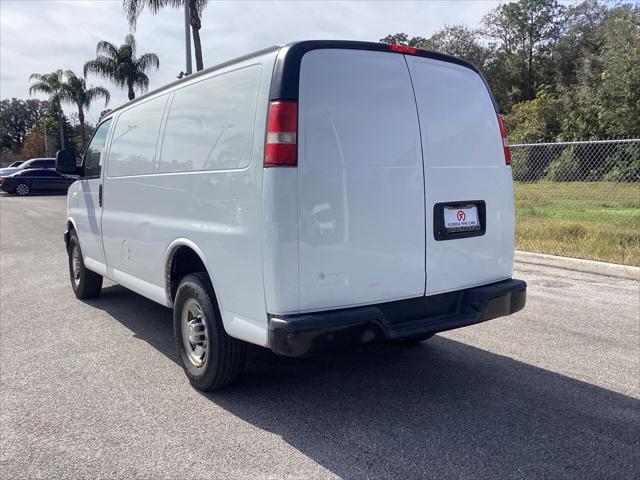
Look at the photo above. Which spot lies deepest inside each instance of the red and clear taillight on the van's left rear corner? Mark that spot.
(281, 146)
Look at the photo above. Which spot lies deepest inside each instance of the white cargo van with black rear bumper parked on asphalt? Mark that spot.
(321, 194)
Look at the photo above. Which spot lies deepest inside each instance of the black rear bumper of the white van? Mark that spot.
(300, 334)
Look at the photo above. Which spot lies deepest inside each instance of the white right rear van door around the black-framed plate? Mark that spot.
(464, 161)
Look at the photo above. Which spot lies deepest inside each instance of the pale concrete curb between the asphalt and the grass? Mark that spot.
(579, 265)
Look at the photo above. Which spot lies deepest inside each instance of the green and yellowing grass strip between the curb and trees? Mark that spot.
(596, 221)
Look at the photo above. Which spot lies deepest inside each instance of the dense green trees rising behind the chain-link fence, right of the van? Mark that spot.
(558, 72)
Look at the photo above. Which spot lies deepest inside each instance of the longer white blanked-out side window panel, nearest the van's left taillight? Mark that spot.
(210, 124)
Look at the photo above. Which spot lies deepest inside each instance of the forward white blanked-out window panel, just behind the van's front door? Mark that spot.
(134, 139)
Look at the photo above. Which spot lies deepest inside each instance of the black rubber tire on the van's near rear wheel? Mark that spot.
(225, 356)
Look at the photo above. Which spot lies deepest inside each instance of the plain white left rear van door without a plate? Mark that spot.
(360, 180)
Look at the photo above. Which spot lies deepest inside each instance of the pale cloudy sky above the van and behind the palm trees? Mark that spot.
(43, 35)
